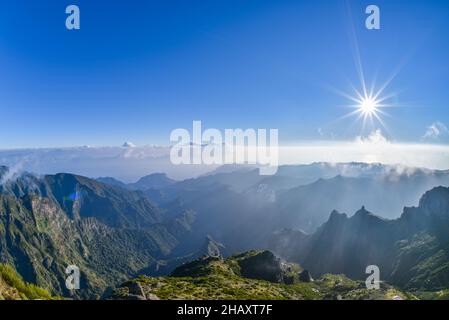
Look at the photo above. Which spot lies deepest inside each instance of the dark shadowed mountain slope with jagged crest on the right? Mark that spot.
(411, 251)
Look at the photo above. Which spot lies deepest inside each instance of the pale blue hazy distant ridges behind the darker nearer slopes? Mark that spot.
(298, 197)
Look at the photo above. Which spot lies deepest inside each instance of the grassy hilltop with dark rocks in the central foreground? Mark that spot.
(215, 278)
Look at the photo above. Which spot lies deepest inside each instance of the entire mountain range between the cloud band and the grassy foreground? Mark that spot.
(114, 231)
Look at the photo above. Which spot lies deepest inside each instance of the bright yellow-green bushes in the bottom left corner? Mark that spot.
(12, 287)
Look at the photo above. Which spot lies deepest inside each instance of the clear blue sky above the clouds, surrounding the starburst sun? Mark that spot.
(138, 69)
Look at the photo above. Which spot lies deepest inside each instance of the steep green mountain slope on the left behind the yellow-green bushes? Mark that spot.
(109, 233)
